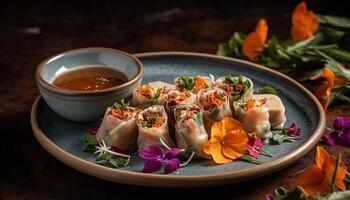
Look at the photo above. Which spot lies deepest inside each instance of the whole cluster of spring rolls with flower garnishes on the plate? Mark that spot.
(197, 117)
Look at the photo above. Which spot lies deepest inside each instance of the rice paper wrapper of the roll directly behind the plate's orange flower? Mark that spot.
(216, 114)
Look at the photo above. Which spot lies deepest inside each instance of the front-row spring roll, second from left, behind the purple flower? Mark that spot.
(153, 125)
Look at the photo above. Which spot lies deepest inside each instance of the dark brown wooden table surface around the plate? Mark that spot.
(31, 32)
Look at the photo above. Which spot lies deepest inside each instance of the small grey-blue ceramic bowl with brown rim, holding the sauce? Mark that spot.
(87, 105)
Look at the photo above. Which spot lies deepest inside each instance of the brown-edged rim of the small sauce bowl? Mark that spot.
(40, 80)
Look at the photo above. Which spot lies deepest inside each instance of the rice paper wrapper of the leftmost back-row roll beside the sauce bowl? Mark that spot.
(142, 101)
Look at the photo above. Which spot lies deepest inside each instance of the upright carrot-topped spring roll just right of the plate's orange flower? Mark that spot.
(254, 116)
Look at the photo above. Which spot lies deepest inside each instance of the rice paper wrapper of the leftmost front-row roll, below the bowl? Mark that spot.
(118, 133)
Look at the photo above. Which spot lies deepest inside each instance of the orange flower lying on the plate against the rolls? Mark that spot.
(228, 141)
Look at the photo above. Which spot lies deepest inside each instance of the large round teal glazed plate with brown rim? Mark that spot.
(64, 139)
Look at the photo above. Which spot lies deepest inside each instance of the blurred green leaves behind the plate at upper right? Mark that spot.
(328, 47)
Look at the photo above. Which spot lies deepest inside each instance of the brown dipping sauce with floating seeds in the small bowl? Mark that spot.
(90, 79)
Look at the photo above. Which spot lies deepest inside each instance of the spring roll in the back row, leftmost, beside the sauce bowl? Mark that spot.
(153, 93)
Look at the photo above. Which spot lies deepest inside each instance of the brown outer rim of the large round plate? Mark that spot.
(164, 180)
